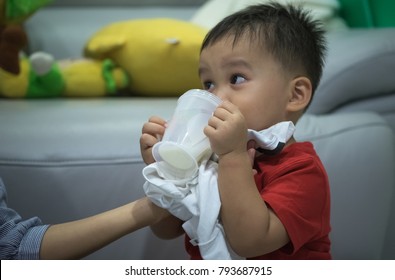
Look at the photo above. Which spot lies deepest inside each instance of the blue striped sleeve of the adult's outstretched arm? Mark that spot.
(19, 239)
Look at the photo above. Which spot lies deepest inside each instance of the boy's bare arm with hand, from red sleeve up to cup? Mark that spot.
(252, 229)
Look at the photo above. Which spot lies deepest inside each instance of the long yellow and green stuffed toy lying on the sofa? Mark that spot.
(41, 76)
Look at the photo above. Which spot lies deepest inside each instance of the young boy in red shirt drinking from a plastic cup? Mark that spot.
(265, 63)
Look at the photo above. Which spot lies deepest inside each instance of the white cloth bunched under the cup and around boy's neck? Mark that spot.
(196, 200)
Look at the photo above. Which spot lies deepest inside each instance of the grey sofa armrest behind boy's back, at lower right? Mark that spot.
(358, 152)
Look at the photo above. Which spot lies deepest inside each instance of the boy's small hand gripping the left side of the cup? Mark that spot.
(152, 133)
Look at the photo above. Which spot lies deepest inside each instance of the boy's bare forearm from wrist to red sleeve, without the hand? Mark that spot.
(250, 226)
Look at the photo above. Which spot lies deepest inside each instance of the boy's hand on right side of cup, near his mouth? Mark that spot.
(227, 130)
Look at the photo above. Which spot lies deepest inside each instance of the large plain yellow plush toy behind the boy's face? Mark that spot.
(160, 55)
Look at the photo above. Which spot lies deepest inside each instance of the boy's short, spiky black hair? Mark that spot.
(288, 33)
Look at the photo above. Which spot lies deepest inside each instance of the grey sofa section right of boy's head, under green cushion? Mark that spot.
(359, 66)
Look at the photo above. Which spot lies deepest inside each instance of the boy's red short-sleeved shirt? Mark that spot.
(294, 184)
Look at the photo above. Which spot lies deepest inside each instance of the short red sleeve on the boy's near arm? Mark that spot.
(300, 198)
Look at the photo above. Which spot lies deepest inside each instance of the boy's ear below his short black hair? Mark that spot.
(300, 94)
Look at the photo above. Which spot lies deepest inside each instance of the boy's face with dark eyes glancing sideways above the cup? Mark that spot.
(248, 76)
